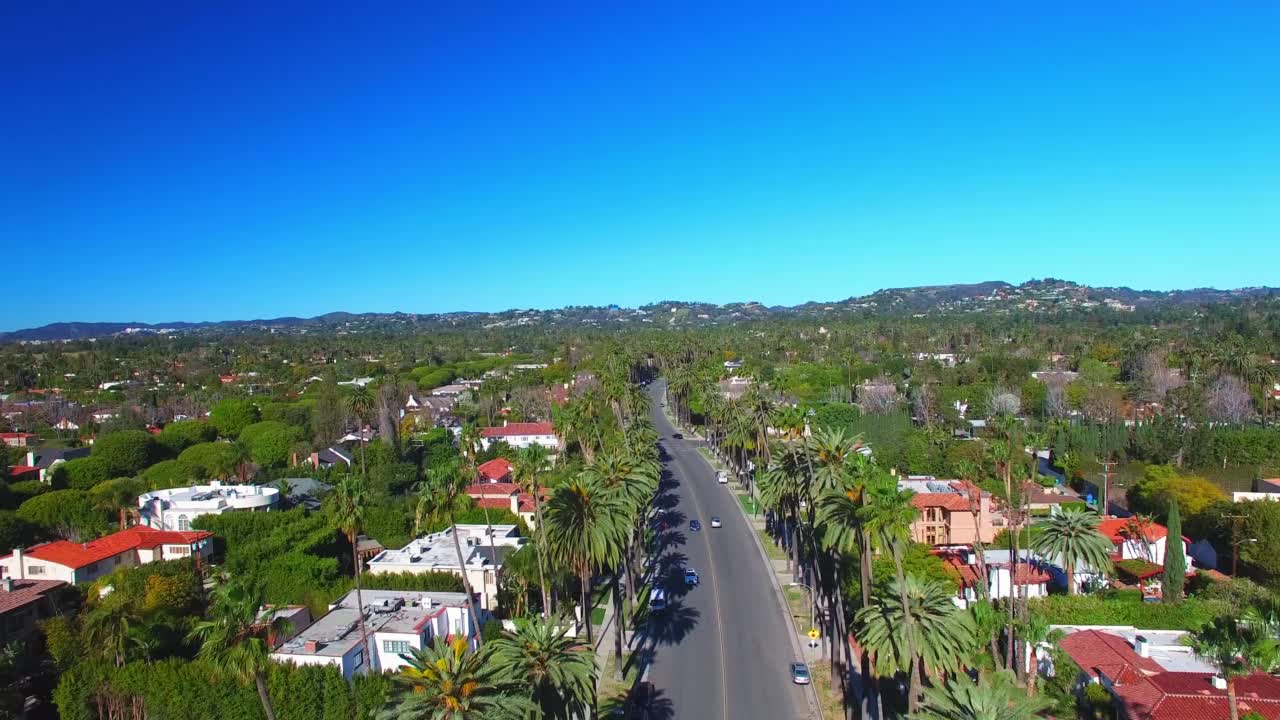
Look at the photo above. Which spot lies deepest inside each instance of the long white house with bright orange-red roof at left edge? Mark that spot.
(83, 563)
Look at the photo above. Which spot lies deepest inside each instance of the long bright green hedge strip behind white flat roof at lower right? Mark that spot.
(1095, 610)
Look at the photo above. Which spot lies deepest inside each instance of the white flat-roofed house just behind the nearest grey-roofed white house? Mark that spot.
(482, 557)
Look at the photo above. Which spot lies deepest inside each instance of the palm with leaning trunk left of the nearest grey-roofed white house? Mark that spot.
(231, 639)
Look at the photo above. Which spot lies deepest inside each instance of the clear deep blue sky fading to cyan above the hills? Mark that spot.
(182, 162)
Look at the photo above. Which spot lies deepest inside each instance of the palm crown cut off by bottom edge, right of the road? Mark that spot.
(993, 698)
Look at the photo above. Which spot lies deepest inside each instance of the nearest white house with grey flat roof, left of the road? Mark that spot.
(396, 622)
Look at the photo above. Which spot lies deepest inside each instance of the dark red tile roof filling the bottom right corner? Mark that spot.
(1192, 696)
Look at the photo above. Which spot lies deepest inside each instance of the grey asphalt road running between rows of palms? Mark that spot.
(721, 650)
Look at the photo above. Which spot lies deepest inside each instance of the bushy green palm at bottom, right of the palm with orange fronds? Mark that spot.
(542, 657)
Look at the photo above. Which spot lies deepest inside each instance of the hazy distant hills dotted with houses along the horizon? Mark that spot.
(994, 297)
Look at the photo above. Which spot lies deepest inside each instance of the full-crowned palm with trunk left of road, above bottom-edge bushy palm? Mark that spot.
(587, 528)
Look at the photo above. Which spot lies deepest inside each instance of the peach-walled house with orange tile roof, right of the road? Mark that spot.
(948, 511)
